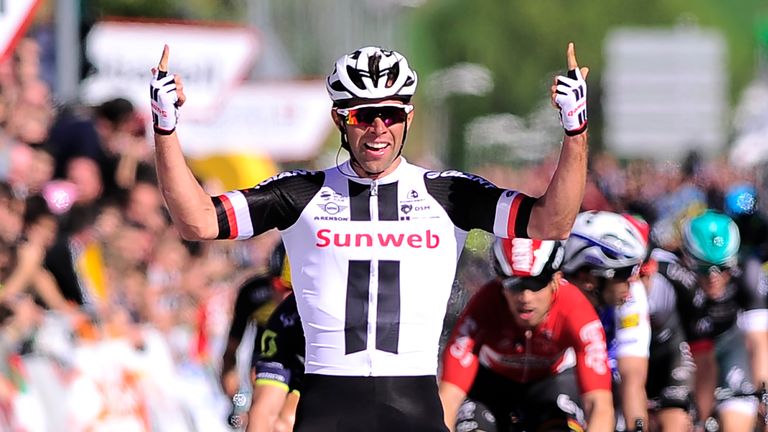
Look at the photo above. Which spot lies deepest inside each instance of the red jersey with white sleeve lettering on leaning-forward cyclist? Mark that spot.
(486, 335)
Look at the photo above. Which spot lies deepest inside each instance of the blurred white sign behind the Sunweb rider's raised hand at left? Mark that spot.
(212, 59)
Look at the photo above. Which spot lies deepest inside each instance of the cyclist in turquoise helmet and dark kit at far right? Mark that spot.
(724, 302)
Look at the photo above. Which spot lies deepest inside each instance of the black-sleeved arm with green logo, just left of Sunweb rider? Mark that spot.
(279, 371)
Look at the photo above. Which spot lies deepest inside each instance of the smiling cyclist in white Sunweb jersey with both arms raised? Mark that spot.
(373, 242)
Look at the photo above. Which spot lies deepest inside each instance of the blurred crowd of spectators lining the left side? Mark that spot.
(86, 244)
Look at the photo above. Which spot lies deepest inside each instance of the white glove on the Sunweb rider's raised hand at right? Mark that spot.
(571, 100)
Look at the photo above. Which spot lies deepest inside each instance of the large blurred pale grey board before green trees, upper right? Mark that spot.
(665, 92)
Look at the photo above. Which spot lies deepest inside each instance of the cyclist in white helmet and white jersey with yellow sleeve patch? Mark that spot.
(603, 257)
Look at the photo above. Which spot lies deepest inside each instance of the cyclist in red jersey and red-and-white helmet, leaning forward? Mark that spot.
(530, 346)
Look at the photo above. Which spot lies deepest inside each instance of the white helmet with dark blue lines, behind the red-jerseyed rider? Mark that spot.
(608, 244)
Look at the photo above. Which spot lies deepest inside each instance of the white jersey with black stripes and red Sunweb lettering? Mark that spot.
(373, 261)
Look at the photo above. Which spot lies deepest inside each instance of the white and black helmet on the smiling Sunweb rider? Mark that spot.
(371, 73)
